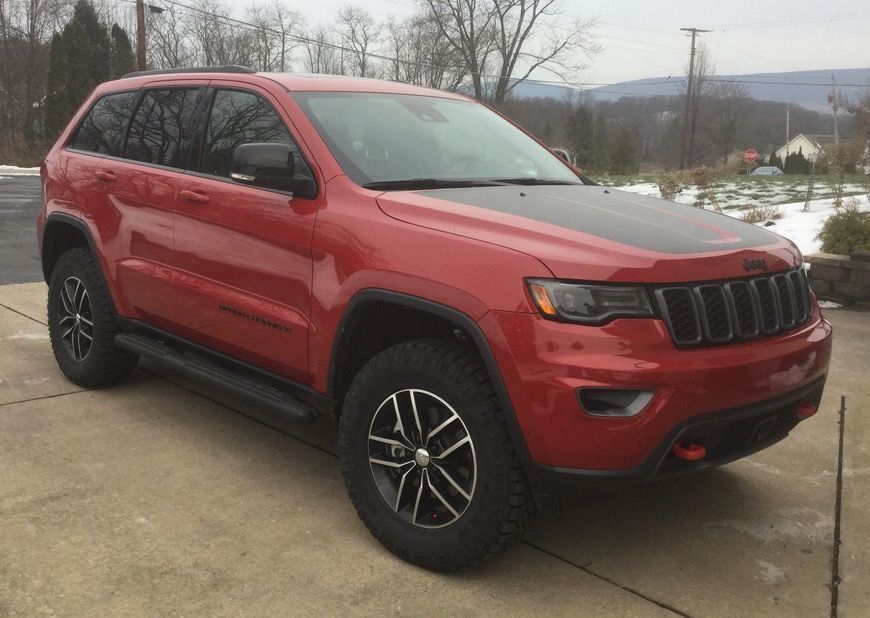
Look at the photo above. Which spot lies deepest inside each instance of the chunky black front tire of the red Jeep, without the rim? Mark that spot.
(501, 507)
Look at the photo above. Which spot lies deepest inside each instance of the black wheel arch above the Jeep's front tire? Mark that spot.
(353, 346)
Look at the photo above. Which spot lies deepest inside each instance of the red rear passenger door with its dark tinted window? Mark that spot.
(141, 186)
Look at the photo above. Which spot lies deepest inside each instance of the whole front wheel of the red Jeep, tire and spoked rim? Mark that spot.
(427, 459)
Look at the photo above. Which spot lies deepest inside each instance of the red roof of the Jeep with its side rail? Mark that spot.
(293, 82)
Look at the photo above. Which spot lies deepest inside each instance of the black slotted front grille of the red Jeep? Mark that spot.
(731, 311)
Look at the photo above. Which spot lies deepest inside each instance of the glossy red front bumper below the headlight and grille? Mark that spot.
(543, 363)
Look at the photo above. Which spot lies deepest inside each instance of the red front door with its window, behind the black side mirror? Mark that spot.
(243, 253)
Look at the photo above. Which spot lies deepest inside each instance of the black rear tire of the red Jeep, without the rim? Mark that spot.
(104, 364)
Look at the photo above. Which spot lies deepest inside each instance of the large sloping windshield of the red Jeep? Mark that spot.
(387, 140)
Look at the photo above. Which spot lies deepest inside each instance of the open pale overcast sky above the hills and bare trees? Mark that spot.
(642, 38)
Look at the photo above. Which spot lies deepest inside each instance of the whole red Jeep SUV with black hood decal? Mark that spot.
(490, 328)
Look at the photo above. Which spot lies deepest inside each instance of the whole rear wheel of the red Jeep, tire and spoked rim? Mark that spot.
(82, 323)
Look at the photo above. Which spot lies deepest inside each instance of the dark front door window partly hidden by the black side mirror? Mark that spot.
(241, 118)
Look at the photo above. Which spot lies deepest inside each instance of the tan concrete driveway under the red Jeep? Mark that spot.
(158, 497)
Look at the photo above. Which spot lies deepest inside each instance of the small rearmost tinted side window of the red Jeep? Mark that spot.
(103, 129)
